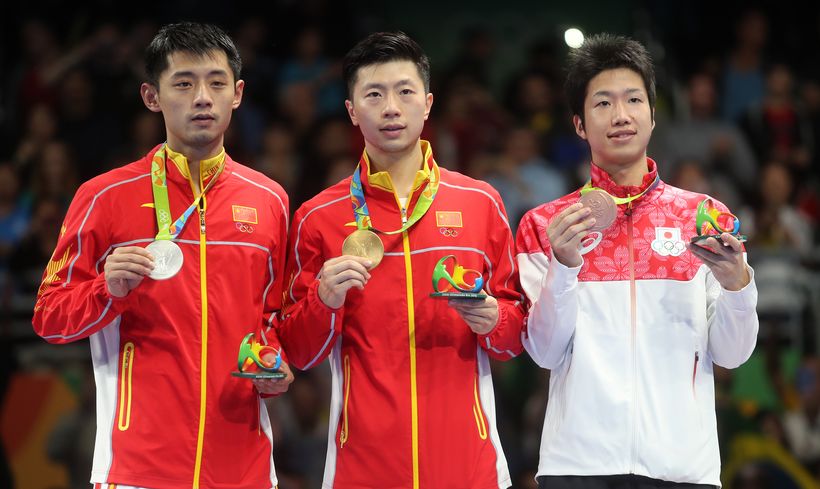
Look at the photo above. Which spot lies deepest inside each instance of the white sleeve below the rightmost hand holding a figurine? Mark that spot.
(732, 320)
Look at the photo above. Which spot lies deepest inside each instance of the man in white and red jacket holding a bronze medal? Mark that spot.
(629, 319)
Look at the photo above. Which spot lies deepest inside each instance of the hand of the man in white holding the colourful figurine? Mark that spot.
(724, 257)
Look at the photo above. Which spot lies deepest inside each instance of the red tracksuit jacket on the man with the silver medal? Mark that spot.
(169, 414)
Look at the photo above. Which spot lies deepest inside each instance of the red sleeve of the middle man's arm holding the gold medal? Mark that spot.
(306, 327)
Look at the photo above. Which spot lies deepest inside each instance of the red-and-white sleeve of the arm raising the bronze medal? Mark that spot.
(551, 289)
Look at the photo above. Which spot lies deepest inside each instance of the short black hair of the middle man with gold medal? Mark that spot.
(383, 47)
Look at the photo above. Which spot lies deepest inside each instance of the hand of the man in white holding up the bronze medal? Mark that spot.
(566, 231)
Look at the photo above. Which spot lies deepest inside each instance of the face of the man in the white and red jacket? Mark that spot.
(618, 119)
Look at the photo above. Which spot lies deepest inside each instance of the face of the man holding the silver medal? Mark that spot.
(196, 95)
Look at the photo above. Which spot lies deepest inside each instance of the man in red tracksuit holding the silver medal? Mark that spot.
(164, 328)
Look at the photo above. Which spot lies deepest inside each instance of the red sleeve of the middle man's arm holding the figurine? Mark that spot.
(504, 340)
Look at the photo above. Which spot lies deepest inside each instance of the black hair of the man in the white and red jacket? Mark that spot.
(603, 52)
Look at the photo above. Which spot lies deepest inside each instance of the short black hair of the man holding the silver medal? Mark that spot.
(189, 37)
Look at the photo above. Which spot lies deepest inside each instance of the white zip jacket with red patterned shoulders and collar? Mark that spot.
(630, 338)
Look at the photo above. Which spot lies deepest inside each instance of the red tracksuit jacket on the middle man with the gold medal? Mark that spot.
(412, 402)
